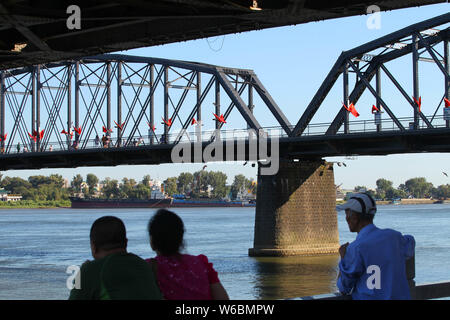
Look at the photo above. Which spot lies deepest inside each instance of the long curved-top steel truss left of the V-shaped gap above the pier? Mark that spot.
(80, 94)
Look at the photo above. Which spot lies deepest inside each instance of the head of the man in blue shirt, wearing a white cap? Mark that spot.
(360, 210)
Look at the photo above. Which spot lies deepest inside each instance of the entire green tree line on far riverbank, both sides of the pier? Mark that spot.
(51, 190)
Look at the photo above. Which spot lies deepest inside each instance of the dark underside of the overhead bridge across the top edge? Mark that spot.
(37, 32)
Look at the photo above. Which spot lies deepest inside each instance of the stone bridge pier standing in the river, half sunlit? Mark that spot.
(295, 210)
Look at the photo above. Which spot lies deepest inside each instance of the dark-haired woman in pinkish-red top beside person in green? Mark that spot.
(180, 276)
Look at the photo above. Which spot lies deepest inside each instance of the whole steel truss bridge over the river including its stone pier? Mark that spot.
(56, 112)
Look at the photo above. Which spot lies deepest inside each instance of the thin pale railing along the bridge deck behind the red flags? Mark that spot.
(317, 129)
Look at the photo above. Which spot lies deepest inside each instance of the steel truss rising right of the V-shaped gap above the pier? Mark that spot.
(412, 39)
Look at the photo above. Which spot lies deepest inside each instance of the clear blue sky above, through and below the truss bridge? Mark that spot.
(292, 62)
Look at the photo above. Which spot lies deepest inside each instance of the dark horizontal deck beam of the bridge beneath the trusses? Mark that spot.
(314, 146)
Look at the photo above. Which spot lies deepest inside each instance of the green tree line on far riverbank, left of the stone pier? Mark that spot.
(52, 190)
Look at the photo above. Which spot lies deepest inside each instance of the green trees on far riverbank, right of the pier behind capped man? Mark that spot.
(417, 187)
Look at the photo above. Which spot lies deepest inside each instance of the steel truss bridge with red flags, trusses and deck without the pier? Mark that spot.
(50, 114)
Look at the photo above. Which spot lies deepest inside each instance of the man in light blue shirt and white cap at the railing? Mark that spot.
(373, 266)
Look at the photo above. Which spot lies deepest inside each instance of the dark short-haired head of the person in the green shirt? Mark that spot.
(107, 235)
